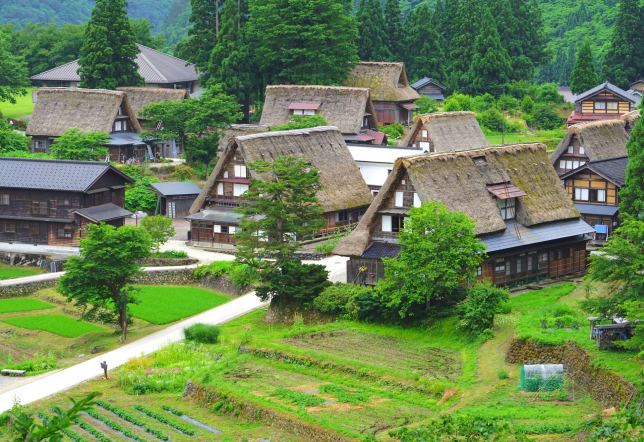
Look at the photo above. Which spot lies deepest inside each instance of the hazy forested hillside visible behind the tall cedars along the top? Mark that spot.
(567, 23)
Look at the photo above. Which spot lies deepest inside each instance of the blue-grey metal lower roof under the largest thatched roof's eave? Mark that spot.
(508, 238)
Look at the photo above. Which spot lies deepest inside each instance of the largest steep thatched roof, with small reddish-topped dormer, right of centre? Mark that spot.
(456, 181)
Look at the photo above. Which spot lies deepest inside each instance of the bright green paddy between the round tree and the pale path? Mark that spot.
(164, 304)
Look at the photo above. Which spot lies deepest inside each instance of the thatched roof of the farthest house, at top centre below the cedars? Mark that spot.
(387, 81)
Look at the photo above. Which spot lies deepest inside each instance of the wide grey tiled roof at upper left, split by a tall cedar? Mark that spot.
(154, 66)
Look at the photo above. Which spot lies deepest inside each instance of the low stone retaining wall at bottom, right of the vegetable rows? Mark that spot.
(209, 397)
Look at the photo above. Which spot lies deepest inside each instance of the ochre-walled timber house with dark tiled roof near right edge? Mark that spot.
(594, 188)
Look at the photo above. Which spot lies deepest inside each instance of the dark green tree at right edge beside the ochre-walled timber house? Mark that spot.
(631, 196)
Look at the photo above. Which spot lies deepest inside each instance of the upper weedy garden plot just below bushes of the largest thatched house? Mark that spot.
(381, 350)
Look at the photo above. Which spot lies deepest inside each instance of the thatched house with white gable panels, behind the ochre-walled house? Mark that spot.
(590, 142)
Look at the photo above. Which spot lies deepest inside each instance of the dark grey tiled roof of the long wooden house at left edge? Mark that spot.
(73, 176)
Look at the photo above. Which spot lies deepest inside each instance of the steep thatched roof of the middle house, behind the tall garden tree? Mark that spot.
(323, 147)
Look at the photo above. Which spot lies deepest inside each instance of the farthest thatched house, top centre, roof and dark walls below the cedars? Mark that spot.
(391, 94)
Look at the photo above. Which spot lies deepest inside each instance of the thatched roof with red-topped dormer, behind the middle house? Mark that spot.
(343, 107)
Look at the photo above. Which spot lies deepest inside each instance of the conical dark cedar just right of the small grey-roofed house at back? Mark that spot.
(490, 68)
